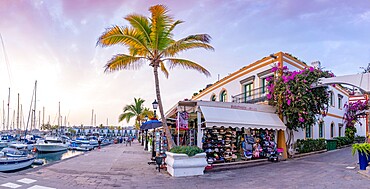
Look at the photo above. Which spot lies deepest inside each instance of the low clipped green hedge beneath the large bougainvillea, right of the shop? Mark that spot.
(310, 145)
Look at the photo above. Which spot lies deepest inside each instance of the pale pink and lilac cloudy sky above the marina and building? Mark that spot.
(54, 42)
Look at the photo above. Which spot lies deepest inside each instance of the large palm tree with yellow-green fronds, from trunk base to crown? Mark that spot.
(150, 40)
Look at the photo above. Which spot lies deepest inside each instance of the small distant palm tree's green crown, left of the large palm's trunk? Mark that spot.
(136, 110)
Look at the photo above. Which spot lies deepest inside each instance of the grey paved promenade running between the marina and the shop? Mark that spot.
(118, 166)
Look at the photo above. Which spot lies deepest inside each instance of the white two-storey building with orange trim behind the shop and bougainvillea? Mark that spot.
(248, 85)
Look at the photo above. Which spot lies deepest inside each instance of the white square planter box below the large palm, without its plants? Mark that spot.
(179, 165)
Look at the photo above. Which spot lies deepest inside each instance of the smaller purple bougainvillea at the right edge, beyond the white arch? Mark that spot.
(354, 111)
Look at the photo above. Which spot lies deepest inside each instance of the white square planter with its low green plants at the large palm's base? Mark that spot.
(186, 161)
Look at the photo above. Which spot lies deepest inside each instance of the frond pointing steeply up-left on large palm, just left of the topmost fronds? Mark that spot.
(141, 24)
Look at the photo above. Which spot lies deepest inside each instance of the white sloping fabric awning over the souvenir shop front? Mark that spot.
(228, 117)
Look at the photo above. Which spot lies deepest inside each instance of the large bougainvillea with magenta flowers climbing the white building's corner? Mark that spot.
(291, 92)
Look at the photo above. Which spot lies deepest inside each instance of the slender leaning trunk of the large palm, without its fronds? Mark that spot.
(171, 143)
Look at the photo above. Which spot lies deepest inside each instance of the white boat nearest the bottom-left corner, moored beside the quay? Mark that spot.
(10, 164)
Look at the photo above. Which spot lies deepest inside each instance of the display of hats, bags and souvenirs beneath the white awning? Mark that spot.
(231, 144)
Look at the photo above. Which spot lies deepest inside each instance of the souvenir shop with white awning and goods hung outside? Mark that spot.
(230, 132)
